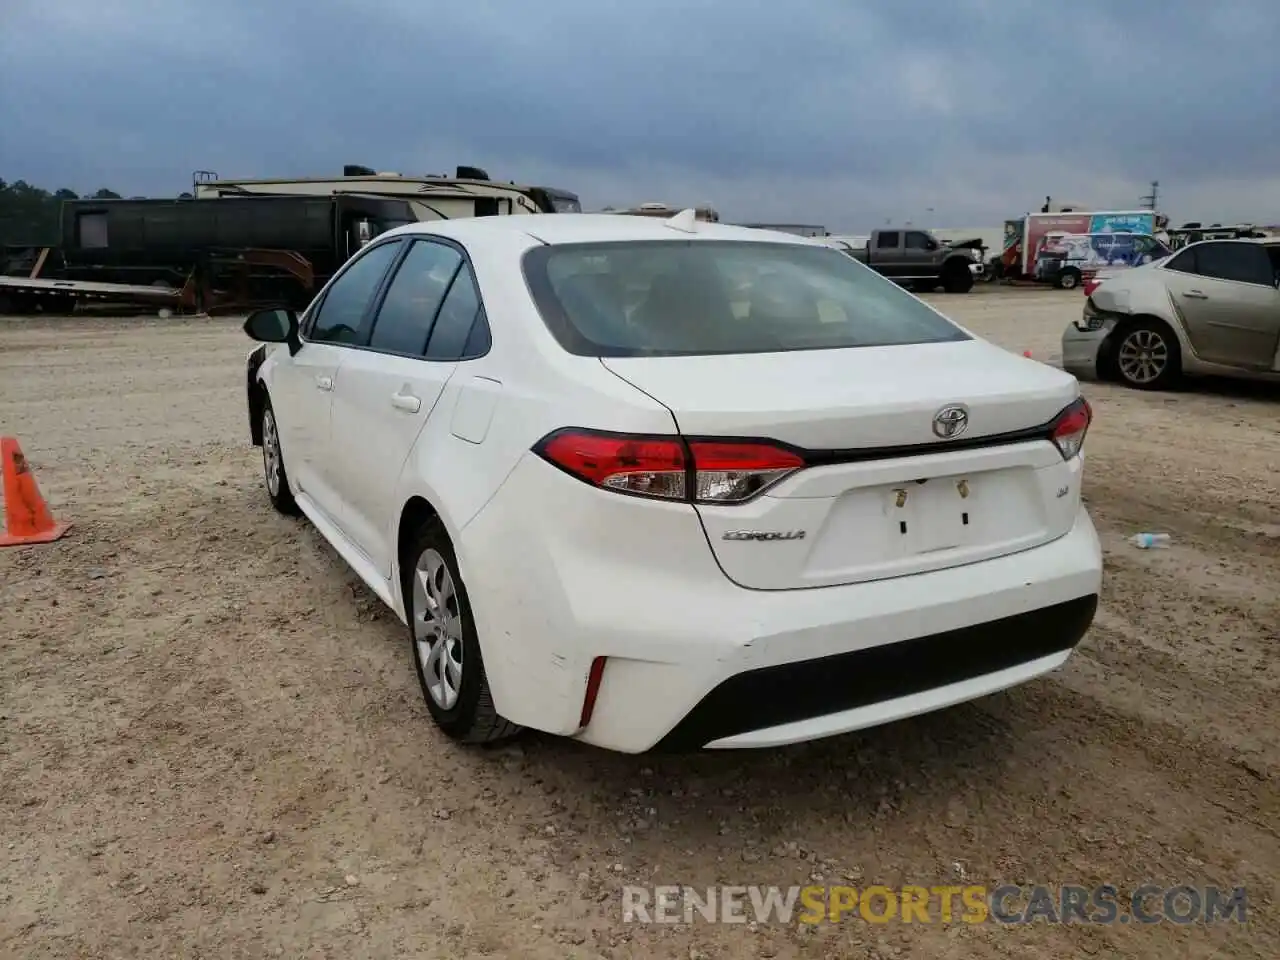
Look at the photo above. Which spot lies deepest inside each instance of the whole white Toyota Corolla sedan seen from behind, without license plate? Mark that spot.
(666, 484)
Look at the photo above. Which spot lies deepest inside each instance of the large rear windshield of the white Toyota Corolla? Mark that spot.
(698, 298)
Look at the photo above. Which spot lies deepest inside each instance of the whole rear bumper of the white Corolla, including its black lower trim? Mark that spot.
(696, 661)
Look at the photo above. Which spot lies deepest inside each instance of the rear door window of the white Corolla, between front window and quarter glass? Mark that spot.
(414, 299)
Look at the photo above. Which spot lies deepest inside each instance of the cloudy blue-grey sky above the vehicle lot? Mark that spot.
(954, 113)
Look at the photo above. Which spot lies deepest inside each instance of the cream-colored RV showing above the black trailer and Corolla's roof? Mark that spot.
(432, 198)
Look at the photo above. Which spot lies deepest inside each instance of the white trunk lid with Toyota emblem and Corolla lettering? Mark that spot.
(871, 508)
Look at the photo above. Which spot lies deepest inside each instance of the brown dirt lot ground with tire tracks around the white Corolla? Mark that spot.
(212, 743)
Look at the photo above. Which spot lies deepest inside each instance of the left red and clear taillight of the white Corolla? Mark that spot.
(670, 468)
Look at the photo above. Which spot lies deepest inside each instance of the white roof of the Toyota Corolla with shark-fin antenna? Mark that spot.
(588, 228)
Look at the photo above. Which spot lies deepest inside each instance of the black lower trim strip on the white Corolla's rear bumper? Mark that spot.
(807, 689)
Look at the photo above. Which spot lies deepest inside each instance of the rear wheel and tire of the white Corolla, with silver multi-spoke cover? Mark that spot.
(454, 683)
